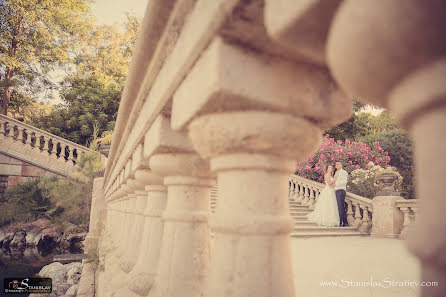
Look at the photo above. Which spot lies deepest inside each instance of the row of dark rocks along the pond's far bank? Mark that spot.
(42, 234)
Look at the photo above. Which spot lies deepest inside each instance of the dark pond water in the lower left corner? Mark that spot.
(20, 263)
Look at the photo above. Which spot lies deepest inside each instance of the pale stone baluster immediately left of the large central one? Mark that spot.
(185, 253)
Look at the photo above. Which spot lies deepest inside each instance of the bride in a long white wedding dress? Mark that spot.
(325, 211)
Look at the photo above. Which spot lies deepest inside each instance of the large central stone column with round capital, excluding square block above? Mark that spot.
(252, 154)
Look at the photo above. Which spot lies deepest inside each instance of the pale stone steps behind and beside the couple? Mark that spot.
(305, 228)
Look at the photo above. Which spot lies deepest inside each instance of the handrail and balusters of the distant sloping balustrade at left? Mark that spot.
(38, 143)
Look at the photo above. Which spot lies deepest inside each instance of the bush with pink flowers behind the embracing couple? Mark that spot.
(353, 155)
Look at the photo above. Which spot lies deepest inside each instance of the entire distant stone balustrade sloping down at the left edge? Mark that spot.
(39, 147)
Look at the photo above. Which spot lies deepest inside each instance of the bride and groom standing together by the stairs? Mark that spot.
(329, 209)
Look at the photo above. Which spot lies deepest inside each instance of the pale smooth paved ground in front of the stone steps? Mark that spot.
(350, 261)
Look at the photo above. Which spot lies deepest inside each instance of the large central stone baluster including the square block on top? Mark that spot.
(239, 119)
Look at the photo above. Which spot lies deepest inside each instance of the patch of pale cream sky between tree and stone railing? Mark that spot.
(109, 12)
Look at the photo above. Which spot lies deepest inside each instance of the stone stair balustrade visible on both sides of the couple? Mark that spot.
(359, 209)
